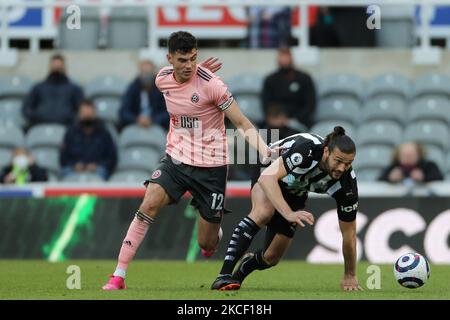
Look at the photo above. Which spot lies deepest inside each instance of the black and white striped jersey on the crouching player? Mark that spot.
(301, 156)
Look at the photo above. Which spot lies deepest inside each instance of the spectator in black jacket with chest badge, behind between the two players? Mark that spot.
(290, 88)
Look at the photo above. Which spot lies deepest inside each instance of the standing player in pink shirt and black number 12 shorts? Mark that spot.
(196, 151)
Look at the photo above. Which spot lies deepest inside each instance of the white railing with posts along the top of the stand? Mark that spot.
(422, 54)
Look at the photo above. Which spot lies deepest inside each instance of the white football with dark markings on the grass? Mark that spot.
(412, 270)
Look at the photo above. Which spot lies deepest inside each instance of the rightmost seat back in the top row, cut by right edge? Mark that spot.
(432, 85)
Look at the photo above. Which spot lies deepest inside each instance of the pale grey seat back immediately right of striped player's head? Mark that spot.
(382, 132)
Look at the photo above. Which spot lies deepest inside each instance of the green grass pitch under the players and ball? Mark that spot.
(177, 280)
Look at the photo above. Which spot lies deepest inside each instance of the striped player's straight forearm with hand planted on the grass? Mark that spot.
(349, 281)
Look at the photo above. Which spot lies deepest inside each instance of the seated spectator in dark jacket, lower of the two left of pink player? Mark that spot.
(88, 145)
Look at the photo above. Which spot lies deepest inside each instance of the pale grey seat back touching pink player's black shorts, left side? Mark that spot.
(138, 158)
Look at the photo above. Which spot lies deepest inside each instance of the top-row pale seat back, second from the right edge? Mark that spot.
(389, 84)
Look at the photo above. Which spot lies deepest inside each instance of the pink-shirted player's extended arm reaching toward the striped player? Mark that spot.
(246, 129)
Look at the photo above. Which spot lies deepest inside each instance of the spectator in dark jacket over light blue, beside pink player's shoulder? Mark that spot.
(143, 104)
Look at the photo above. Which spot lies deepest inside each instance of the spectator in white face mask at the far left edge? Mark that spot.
(22, 169)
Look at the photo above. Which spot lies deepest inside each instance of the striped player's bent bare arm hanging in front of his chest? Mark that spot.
(269, 183)
